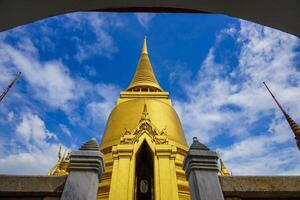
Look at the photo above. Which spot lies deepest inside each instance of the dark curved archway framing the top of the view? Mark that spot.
(280, 14)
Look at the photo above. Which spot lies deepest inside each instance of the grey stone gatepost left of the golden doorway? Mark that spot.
(85, 169)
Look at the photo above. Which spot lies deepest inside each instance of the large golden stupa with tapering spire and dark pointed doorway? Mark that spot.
(143, 143)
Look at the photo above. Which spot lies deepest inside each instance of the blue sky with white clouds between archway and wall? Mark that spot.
(75, 65)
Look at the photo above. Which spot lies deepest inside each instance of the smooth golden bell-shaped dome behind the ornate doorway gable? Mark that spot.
(127, 115)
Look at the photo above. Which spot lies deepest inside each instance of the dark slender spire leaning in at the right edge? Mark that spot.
(294, 126)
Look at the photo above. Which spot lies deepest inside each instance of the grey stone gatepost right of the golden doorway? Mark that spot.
(201, 169)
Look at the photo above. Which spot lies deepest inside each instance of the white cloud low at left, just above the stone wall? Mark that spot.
(37, 154)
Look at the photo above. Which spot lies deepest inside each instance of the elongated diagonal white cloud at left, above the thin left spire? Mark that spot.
(50, 80)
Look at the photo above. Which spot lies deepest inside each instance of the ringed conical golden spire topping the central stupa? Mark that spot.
(144, 78)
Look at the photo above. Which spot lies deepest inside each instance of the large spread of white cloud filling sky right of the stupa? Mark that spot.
(229, 104)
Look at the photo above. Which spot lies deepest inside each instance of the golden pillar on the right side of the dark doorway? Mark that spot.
(166, 174)
